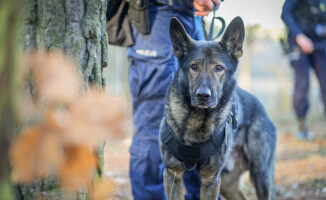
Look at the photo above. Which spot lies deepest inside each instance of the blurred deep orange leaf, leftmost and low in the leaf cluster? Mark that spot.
(36, 154)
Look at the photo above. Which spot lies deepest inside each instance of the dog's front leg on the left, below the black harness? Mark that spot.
(173, 184)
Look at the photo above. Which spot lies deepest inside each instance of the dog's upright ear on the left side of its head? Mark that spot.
(180, 39)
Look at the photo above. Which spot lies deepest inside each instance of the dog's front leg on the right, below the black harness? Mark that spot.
(210, 188)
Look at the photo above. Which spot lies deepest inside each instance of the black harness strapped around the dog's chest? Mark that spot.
(191, 155)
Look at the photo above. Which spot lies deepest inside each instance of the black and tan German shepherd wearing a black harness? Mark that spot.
(202, 101)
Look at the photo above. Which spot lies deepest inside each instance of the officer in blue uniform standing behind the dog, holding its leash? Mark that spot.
(152, 68)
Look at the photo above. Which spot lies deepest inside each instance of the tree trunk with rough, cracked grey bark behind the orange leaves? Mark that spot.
(77, 27)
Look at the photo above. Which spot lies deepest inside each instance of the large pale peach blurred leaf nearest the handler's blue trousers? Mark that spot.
(95, 117)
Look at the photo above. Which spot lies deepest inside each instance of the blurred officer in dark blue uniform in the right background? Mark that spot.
(306, 21)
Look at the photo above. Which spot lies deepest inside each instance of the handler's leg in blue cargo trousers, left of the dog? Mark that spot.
(152, 67)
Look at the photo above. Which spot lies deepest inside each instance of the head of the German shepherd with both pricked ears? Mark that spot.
(208, 67)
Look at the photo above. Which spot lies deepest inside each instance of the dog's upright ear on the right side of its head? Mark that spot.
(233, 38)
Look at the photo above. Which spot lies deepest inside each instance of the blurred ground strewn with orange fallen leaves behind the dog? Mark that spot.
(300, 172)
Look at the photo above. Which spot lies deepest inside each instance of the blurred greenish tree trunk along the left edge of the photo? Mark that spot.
(9, 30)
